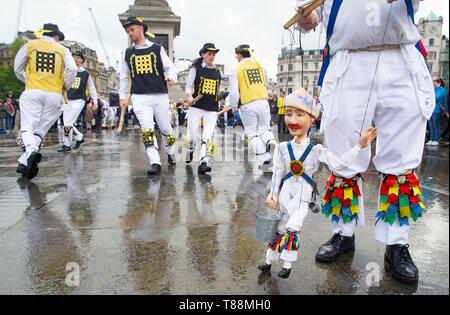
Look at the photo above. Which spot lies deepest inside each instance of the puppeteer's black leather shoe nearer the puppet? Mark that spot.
(337, 245)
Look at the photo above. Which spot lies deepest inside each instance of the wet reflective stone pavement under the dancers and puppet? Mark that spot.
(181, 233)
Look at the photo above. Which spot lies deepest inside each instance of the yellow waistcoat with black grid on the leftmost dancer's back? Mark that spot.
(45, 67)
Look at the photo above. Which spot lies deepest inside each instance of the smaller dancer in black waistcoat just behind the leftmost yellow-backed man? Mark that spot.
(76, 97)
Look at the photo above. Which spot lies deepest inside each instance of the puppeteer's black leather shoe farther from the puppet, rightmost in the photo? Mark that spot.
(401, 265)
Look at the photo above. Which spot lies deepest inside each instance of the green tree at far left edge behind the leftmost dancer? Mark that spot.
(8, 79)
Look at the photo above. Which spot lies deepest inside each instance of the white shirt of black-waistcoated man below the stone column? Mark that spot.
(169, 69)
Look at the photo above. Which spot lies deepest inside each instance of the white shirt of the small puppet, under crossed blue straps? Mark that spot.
(296, 189)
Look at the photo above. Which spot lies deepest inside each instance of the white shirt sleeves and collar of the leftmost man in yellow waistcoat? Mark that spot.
(70, 68)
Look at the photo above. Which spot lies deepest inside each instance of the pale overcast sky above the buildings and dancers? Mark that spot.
(227, 23)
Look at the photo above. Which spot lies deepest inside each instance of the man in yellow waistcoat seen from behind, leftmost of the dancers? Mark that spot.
(45, 67)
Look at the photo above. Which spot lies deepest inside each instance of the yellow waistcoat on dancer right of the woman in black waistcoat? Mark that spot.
(252, 81)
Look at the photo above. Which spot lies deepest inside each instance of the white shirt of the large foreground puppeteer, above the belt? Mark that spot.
(361, 23)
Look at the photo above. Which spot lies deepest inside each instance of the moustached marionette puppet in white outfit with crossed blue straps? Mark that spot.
(295, 163)
